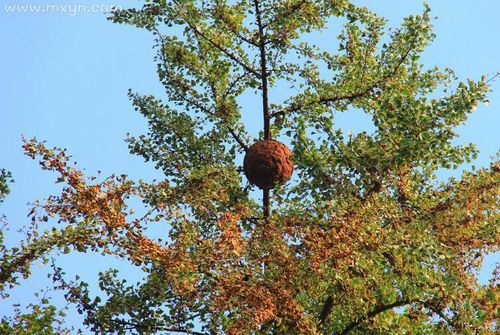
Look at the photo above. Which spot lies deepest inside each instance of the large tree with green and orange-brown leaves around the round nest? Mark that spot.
(364, 240)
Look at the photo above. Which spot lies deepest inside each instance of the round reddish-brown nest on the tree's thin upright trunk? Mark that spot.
(267, 163)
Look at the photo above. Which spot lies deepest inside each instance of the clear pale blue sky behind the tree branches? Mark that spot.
(64, 78)
